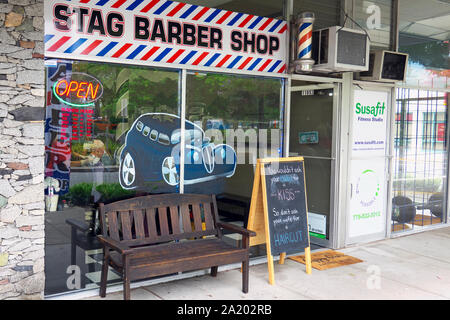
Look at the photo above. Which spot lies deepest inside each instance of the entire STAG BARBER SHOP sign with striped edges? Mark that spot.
(162, 33)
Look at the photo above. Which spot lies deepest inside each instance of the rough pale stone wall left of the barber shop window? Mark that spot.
(22, 104)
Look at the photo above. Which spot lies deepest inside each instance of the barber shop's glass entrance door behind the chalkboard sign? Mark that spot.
(312, 135)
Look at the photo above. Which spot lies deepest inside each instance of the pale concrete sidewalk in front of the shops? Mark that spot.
(410, 267)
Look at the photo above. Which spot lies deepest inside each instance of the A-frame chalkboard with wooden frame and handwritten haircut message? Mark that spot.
(278, 210)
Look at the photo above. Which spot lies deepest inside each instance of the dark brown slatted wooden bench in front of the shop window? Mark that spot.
(155, 235)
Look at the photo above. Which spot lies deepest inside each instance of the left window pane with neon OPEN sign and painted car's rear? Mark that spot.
(98, 119)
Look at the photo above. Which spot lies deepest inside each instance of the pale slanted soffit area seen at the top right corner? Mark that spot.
(429, 18)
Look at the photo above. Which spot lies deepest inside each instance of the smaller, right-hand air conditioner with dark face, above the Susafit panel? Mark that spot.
(386, 66)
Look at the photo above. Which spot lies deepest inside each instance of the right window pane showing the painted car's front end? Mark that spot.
(234, 120)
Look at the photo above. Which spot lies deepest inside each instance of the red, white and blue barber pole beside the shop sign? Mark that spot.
(305, 23)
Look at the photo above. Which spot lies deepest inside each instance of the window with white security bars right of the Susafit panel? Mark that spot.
(420, 160)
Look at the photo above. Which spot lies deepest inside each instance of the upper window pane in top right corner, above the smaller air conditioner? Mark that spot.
(424, 34)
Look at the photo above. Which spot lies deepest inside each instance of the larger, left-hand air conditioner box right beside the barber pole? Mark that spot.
(339, 49)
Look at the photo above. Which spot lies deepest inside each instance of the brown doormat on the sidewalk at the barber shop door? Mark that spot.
(328, 259)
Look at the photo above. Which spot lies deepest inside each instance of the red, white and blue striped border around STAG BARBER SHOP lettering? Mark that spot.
(76, 45)
